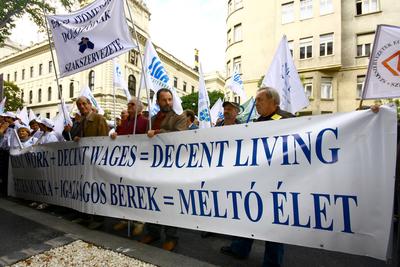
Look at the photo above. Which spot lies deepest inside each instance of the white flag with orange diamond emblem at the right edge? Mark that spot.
(383, 75)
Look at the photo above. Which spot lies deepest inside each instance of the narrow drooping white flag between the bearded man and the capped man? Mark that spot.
(204, 103)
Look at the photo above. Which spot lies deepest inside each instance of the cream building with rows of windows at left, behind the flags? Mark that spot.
(32, 70)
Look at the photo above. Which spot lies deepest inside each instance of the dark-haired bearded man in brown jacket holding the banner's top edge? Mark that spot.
(166, 120)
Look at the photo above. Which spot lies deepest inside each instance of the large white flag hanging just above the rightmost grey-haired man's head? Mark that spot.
(282, 76)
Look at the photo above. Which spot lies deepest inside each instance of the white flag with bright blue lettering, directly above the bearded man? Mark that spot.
(156, 76)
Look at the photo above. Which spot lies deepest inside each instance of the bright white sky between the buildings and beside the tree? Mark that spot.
(177, 26)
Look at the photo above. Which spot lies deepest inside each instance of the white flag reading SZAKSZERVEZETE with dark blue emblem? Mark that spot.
(90, 36)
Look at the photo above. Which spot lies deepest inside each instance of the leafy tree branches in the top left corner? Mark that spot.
(10, 10)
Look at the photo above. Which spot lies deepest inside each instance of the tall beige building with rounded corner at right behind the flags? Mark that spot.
(330, 40)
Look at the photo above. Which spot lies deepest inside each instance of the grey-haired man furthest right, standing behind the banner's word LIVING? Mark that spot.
(267, 105)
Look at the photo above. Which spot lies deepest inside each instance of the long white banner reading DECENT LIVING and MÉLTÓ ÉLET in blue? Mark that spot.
(323, 181)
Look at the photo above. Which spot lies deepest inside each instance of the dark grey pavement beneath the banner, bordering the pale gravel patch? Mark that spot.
(29, 232)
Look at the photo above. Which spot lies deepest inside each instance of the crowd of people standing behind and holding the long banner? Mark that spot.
(134, 120)
